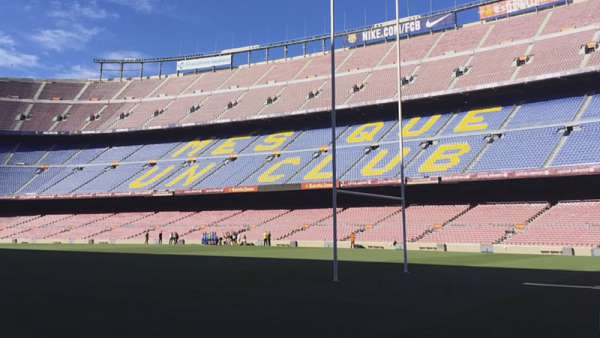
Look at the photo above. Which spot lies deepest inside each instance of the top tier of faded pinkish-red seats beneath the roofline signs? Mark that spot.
(519, 48)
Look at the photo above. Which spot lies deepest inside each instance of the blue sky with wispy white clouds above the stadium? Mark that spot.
(59, 38)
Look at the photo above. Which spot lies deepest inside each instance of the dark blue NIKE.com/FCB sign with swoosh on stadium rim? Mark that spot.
(410, 27)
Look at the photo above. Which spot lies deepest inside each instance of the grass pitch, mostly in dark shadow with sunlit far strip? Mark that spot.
(193, 291)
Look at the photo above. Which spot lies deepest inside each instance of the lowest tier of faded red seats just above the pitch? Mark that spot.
(575, 224)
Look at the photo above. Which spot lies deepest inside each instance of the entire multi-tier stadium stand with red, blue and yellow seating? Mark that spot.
(501, 135)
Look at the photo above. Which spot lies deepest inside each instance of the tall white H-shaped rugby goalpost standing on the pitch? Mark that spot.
(334, 189)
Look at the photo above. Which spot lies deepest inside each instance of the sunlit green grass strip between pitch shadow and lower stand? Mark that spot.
(566, 263)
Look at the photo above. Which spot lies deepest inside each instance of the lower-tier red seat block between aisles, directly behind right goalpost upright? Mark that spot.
(420, 218)
